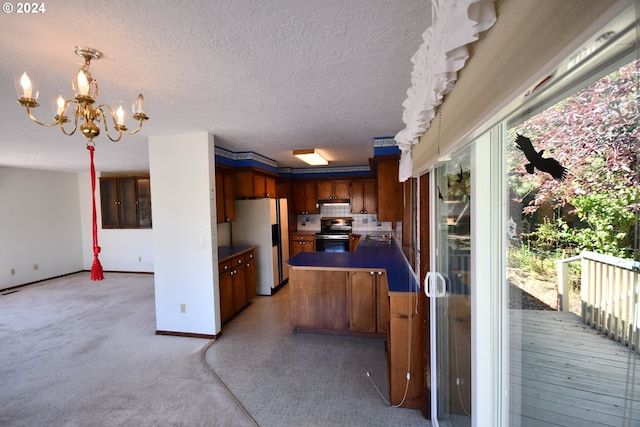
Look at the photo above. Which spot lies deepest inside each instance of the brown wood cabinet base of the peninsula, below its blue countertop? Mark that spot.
(358, 302)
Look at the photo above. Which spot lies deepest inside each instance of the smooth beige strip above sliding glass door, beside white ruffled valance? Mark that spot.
(527, 40)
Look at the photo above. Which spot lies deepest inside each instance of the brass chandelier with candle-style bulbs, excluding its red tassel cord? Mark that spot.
(81, 108)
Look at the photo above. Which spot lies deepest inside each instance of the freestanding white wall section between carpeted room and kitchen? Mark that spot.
(182, 172)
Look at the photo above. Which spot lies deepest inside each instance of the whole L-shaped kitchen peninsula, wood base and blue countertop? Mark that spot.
(369, 292)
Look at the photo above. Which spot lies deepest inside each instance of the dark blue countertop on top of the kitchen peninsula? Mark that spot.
(369, 254)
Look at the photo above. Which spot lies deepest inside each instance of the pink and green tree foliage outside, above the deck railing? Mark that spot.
(593, 133)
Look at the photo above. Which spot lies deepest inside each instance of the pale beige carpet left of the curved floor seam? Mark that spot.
(82, 353)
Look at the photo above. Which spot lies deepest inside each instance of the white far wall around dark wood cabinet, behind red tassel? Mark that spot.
(120, 249)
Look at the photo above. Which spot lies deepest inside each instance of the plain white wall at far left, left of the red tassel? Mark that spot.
(40, 232)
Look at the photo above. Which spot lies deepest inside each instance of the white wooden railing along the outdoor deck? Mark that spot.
(609, 291)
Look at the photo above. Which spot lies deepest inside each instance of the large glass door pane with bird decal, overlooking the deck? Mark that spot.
(570, 358)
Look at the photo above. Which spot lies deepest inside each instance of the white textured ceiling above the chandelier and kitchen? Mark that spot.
(262, 76)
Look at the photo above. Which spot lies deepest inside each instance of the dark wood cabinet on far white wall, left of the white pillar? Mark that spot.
(125, 202)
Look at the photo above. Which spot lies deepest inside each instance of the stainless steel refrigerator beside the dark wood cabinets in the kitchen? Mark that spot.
(263, 223)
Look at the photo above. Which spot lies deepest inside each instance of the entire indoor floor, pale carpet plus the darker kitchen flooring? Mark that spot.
(76, 353)
